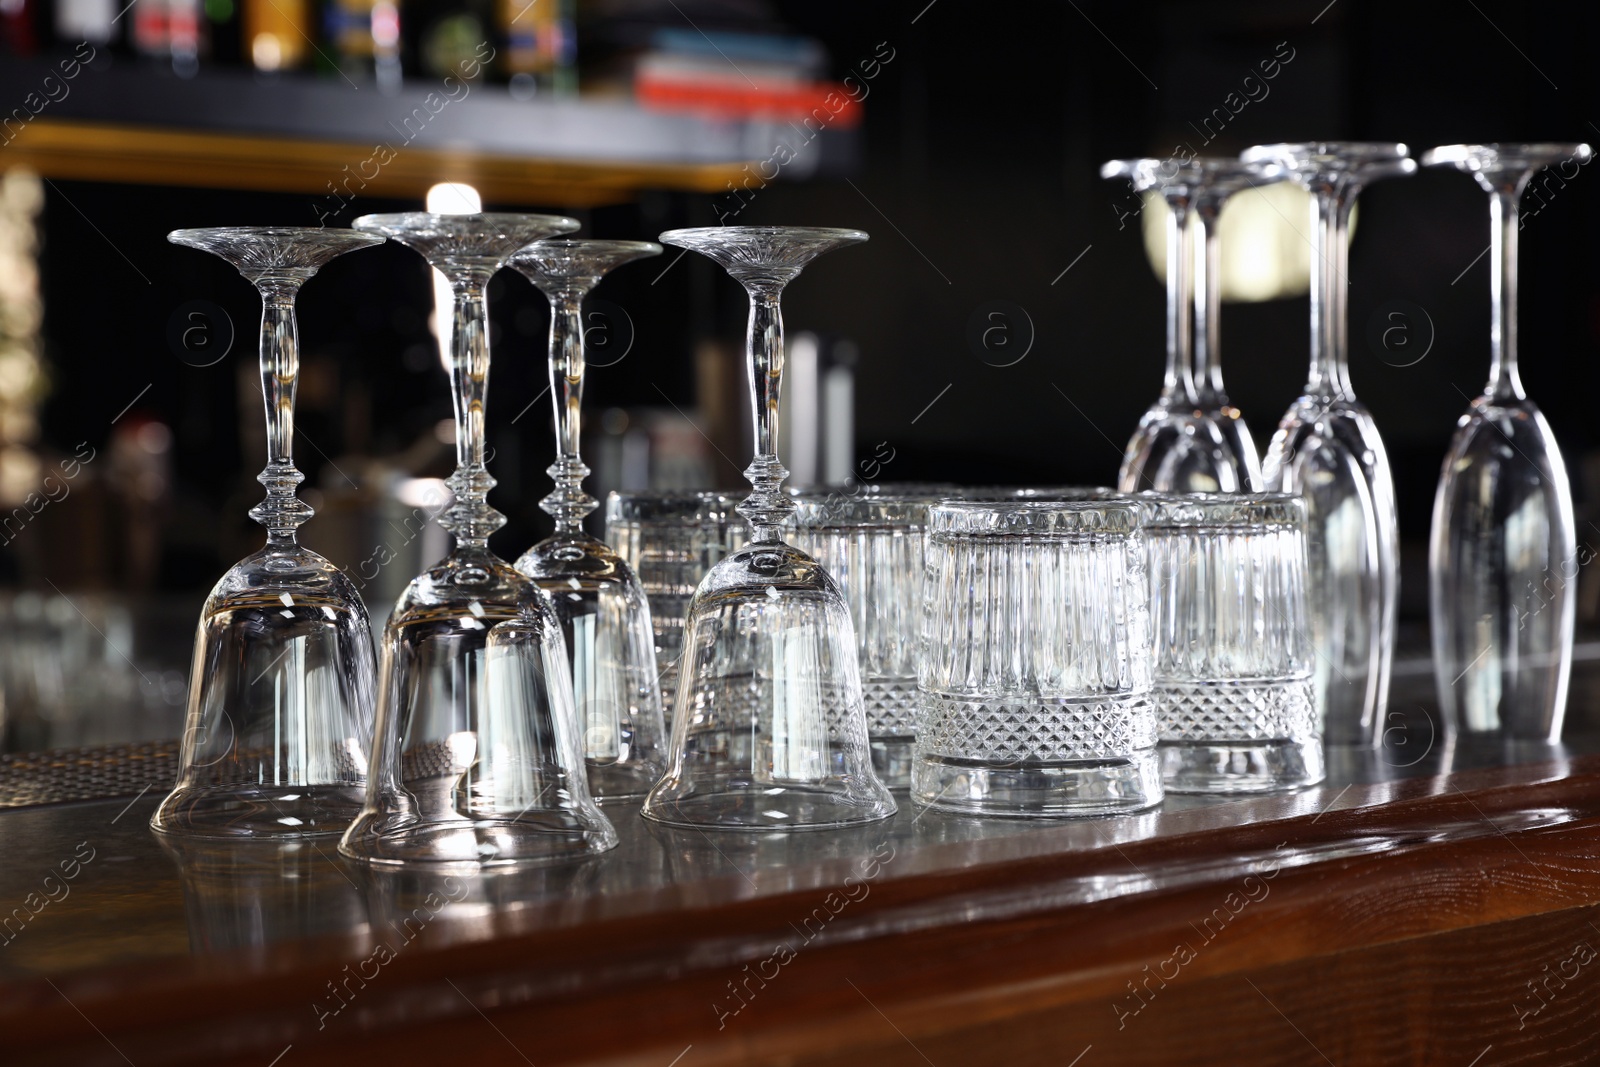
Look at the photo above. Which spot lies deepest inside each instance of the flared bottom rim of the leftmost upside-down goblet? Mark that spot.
(258, 812)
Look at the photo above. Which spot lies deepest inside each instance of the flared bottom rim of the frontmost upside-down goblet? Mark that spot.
(532, 837)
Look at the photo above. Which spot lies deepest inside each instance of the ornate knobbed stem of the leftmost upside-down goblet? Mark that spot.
(282, 513)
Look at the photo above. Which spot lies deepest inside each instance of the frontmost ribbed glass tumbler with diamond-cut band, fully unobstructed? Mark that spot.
(1036, 666)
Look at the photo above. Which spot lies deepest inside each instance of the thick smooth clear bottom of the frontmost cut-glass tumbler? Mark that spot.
(1036, 788)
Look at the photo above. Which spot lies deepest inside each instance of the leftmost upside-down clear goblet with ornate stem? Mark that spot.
(281, 692)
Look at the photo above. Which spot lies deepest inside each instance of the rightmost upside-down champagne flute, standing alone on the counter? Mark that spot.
(1503, 562)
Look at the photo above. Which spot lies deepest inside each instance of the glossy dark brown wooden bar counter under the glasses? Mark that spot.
(1438, 913)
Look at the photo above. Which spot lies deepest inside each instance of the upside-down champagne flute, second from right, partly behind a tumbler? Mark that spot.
(1327, 449)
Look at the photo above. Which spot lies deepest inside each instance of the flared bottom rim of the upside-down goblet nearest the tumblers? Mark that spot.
(735, 805)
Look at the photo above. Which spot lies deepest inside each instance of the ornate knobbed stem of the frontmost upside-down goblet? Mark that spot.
(470, 518)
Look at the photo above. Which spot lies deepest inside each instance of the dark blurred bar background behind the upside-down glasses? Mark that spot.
(975, 169)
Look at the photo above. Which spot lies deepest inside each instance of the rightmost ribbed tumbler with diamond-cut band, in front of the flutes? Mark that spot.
(1233, 649)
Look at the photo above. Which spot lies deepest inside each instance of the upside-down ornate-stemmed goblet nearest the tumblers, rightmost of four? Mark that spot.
(770, 730)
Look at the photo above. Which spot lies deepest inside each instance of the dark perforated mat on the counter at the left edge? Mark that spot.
(126, 770)
